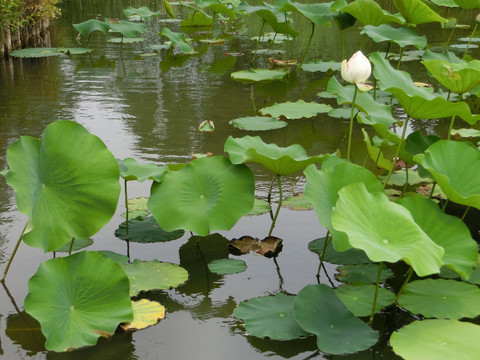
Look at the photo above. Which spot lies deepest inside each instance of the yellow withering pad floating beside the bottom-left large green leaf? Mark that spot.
(145, 313)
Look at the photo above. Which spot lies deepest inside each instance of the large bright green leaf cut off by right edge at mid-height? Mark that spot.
(455, 166)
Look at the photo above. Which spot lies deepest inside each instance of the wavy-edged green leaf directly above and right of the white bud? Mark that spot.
(402, 36)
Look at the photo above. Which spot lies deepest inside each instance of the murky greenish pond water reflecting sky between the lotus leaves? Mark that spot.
(149, 108)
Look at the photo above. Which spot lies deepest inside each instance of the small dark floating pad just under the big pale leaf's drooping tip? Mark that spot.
(362, 273)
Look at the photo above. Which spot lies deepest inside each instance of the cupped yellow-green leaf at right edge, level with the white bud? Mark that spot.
(456, 77)
